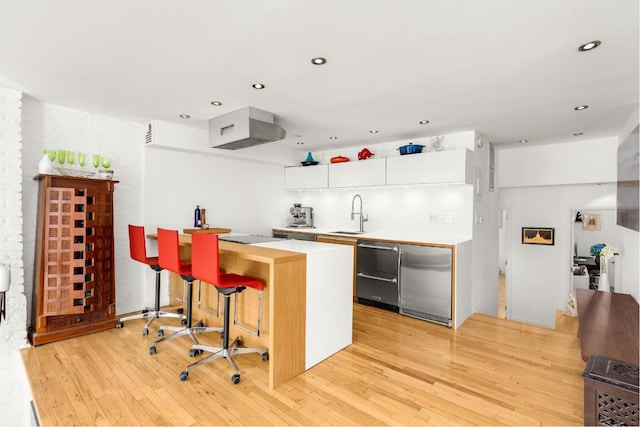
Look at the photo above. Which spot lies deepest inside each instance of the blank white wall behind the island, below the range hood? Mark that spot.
(243, 195)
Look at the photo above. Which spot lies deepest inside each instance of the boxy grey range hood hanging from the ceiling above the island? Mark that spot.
(244, 128)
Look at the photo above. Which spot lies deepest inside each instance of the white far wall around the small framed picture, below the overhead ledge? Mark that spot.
(539, 279)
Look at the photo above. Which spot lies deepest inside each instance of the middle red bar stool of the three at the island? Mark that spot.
(169, 258)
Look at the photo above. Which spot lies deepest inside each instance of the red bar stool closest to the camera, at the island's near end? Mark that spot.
(206, 267)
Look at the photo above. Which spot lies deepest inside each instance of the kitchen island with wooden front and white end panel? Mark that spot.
(287, 314)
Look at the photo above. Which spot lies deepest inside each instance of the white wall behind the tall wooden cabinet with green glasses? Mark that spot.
(52, 127)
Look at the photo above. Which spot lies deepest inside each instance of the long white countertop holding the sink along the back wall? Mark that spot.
(408, 237)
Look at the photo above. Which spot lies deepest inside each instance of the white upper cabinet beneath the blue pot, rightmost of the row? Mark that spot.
(436, 167)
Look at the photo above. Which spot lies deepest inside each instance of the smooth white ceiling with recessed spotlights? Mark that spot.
(509, 69)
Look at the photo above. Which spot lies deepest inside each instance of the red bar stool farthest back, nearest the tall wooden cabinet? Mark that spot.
(138, 252)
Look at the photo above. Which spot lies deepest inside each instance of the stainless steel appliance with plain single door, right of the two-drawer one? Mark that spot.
(426, 283)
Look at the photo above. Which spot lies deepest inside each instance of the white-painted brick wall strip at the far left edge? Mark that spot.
(13, 327)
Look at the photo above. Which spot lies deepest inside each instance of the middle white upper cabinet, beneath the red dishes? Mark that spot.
(360, 173)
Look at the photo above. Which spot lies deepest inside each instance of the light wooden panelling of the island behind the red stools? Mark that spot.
(283, 302)
